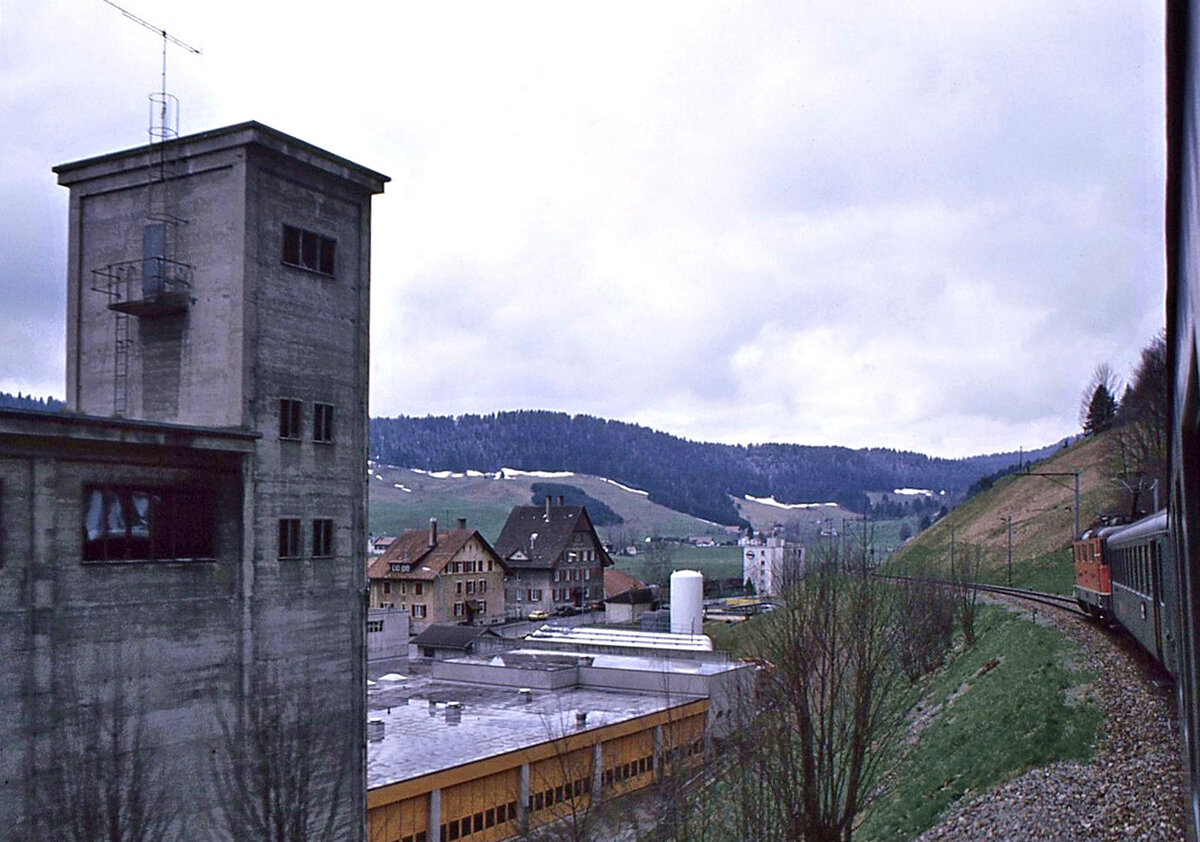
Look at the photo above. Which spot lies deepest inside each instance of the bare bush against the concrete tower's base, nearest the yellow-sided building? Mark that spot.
(284, 771)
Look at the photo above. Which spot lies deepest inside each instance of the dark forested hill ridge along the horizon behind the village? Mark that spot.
(689, 477)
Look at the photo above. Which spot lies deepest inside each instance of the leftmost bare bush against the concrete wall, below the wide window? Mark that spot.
(107, 783)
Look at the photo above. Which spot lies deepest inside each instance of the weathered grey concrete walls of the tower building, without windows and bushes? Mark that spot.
(207, 636)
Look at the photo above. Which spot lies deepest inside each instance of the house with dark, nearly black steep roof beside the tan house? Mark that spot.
(554, 558)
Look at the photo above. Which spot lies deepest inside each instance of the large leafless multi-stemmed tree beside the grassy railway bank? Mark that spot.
(808, 765)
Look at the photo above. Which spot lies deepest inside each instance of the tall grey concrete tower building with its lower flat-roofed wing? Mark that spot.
(183, 552)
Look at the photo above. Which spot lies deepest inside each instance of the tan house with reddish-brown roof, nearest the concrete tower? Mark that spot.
(453, 576)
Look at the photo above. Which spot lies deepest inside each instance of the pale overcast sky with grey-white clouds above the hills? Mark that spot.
(917, 226)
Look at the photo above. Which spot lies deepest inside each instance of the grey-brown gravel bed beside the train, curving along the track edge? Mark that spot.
(1130, 792)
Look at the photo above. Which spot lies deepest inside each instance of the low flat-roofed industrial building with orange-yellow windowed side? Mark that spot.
(539, 736)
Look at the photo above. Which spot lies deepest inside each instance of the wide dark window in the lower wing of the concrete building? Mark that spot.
(147, 525)
